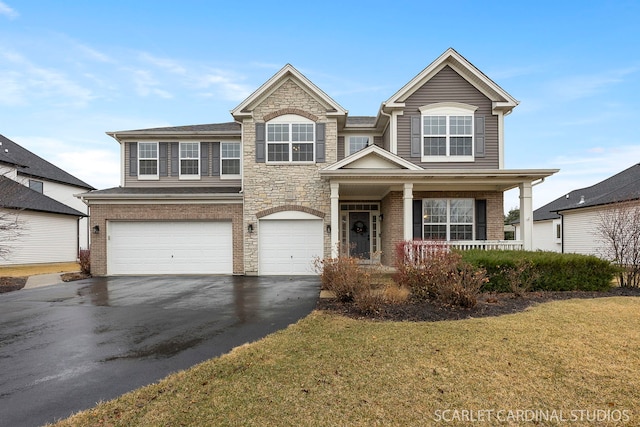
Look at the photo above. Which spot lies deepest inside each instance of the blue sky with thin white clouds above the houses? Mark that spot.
(72, 70)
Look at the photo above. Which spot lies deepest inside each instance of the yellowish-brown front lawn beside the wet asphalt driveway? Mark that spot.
(331, 370)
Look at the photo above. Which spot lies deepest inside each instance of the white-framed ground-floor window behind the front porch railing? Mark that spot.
(448, 219)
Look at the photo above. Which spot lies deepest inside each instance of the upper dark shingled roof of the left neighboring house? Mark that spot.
(35, 166)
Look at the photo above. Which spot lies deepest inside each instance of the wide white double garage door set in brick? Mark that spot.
(158, 247)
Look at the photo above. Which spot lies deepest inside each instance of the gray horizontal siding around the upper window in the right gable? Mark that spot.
(449, 86)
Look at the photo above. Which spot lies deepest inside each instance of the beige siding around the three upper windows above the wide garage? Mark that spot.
(206, 180)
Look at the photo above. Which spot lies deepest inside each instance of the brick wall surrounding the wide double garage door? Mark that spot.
(101, 213)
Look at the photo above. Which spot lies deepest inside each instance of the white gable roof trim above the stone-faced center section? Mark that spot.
(286, 73)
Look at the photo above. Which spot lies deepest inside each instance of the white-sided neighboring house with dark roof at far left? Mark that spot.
(53, 223)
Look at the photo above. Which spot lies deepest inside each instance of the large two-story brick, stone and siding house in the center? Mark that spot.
(293, 178)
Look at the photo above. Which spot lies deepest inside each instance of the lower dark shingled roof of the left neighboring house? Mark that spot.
(18, 196)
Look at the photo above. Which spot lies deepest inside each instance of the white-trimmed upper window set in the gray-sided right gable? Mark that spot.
(447, 132)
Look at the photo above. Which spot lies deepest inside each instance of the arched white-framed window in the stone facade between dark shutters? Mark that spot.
(291, 141)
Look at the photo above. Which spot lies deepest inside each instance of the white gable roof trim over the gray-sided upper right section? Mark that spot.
(502, 101)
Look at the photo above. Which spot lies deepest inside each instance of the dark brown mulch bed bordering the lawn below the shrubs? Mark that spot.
(489, 304)
